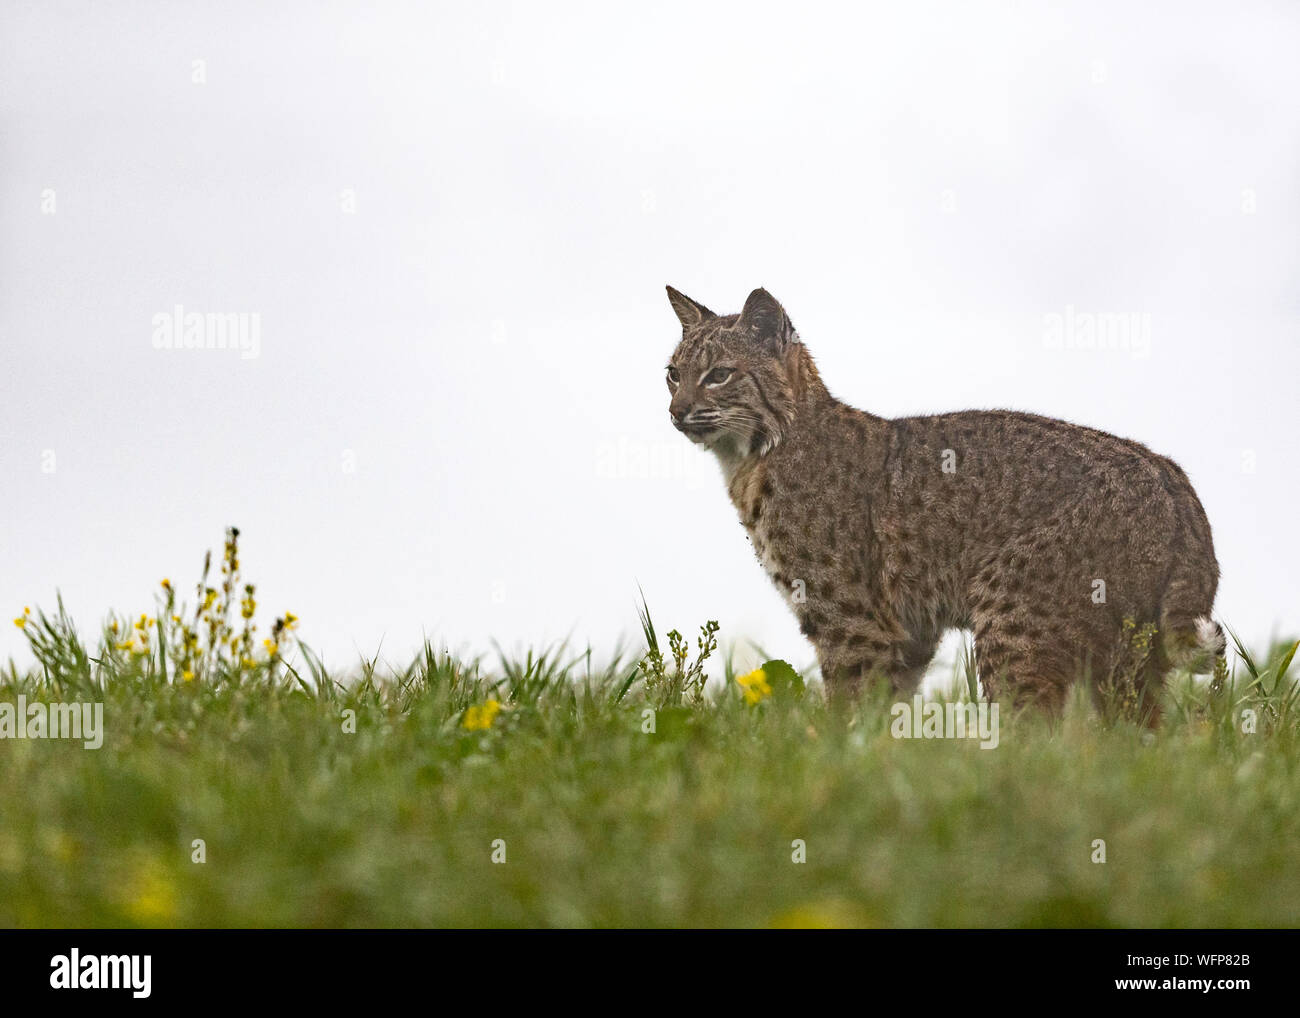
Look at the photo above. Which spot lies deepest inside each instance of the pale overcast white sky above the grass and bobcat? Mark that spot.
(921, 185)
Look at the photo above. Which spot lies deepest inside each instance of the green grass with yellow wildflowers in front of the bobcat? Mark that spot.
(605, 825)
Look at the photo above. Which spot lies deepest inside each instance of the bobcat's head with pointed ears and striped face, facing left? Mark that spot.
(733, 378)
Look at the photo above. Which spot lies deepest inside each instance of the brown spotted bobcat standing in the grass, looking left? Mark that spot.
(1051, 542)
